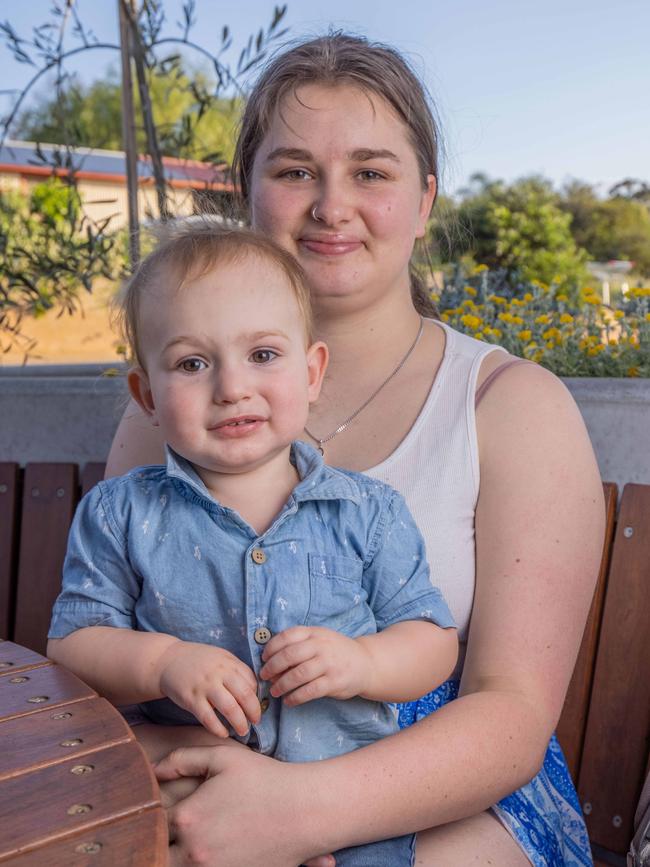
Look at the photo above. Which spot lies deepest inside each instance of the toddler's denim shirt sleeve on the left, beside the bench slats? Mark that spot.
(99, 586)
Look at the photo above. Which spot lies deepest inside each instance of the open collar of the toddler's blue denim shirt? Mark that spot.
(317, 480)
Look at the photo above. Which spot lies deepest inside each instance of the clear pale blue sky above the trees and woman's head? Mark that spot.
(559, 88)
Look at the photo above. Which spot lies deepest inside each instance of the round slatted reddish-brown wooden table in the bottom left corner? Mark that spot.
(75, 786)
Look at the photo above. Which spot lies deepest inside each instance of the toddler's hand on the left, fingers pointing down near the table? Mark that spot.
(202, 679)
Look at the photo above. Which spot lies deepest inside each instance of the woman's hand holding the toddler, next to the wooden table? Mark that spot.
(215, 824)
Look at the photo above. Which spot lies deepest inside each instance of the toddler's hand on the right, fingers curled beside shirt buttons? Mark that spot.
(308, 662)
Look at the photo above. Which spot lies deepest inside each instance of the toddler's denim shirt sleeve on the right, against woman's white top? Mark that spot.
(397, 578)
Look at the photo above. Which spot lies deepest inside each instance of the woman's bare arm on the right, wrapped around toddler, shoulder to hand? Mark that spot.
(539, 530)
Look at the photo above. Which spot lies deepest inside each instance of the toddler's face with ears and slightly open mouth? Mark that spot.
(229, 377)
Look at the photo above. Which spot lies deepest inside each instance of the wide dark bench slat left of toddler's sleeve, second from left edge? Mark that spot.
(49, 500)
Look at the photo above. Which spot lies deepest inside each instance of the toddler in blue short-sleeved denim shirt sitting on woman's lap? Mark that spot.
(245, 585)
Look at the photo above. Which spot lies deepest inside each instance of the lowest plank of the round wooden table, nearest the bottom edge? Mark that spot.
(139, 841)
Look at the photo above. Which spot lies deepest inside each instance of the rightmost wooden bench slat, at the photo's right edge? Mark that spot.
(616, 739)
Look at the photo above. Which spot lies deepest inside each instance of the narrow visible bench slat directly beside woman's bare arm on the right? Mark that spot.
(571, 728)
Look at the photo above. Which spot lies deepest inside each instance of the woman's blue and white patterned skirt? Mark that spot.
(544, 816)
